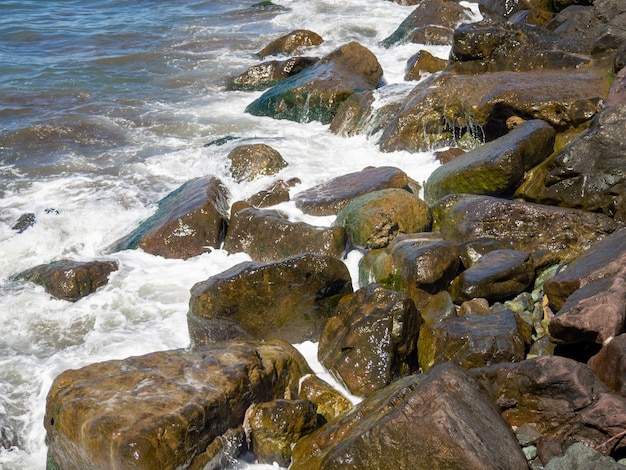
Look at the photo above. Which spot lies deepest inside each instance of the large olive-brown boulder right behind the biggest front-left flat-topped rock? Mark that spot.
(289, 299)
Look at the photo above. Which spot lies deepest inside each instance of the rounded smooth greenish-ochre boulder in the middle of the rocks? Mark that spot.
(374, 219)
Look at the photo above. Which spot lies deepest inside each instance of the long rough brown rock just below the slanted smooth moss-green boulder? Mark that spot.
(550, 234)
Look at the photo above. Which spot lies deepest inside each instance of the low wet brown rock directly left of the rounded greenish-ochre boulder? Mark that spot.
(267, 235)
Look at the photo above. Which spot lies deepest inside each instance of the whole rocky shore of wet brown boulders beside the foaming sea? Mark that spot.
(488, 326)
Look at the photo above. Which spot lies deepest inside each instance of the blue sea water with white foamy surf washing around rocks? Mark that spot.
(105, 108)
